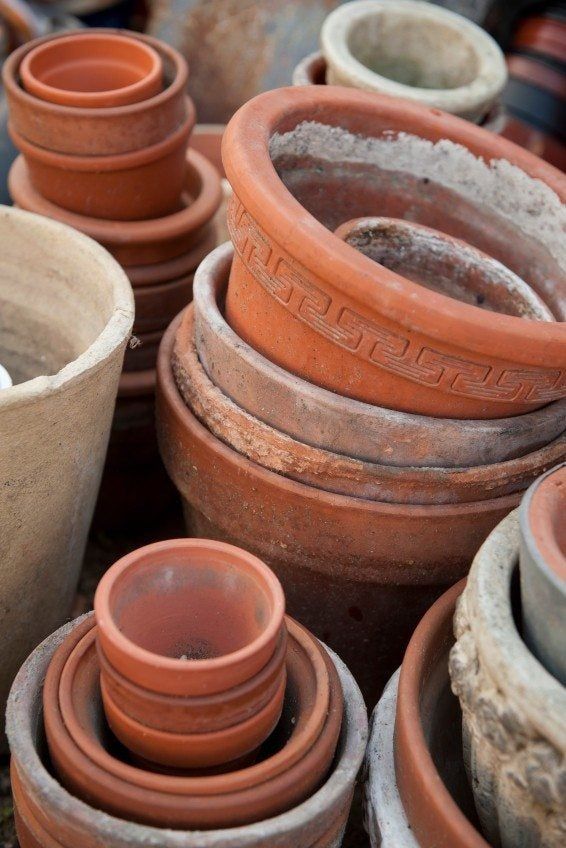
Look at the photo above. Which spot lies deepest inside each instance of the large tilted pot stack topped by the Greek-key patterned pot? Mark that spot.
(361, 408)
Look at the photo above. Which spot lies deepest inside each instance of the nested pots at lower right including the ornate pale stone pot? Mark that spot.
(485, 767)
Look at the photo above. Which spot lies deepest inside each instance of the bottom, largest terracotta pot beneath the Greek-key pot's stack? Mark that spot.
(362, 556)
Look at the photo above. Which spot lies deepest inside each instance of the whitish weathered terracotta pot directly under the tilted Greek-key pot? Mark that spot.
(342, 425)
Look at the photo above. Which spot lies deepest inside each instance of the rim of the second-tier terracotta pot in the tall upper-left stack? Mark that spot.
(113, 162)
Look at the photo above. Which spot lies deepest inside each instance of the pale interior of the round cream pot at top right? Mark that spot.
(413, 51)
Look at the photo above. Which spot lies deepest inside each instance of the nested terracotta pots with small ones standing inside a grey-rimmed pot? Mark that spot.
(188, 702)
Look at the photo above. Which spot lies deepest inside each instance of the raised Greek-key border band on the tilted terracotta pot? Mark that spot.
(289, 284)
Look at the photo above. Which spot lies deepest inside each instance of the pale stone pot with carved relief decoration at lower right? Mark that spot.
(514, 710)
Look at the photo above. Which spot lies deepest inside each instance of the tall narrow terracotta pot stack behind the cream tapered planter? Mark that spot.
(102, 120)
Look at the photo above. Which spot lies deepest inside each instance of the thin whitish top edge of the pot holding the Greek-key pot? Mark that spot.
(205, 300)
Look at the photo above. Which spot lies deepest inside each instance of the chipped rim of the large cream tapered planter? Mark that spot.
(112, 335)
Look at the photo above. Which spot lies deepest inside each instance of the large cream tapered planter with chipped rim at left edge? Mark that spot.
(66, 311)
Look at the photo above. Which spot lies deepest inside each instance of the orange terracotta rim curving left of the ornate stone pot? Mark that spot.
(410, 746)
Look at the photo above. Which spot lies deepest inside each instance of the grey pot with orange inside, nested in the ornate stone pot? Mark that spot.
(543, 570)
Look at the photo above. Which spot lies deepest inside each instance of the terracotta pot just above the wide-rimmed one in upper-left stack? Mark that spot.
(133, 186)
